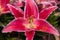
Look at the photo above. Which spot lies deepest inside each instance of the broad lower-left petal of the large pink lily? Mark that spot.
(16, 25)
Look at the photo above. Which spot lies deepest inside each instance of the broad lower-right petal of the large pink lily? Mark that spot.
(44, 26)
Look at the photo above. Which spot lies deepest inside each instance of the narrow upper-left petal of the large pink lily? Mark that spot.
(17, 12)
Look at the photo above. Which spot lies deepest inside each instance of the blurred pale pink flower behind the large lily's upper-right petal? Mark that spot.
(45, 3)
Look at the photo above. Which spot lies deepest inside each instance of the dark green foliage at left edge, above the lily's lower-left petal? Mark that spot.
(6, 18)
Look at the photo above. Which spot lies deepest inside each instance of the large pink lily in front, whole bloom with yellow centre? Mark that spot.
(30, 20)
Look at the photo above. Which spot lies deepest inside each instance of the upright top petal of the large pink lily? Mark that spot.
(31, 9)
